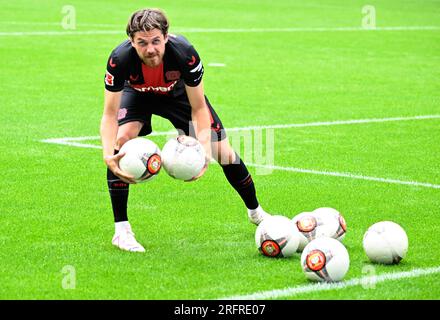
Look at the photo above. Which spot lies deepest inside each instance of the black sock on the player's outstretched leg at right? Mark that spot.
(241, 180)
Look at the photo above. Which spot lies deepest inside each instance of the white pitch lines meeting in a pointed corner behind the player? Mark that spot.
(73, 141)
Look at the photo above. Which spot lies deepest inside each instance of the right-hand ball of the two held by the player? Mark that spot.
(183, 158)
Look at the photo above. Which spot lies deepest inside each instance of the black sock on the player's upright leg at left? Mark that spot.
(118, 194)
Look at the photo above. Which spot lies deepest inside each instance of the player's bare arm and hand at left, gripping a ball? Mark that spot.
(109, 131)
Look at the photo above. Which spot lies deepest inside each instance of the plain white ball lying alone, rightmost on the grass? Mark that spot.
(385, 242)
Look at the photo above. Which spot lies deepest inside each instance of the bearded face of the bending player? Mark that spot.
(150, 46)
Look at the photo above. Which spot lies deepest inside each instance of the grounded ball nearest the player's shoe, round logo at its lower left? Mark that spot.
(276, 236)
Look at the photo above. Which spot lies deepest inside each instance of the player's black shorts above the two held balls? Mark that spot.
(136, 106)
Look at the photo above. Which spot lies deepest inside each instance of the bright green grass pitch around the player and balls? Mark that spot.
(299, 65)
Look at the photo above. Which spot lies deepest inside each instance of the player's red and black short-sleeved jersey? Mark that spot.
(181, 65)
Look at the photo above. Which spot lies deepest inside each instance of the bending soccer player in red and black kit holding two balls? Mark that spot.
(157, 73)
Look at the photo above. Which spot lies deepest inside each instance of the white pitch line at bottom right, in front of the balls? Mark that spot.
(367, 281)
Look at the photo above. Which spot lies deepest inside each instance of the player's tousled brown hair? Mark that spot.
(146, 20)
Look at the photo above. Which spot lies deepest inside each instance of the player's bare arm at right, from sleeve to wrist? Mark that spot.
(200, 116)
